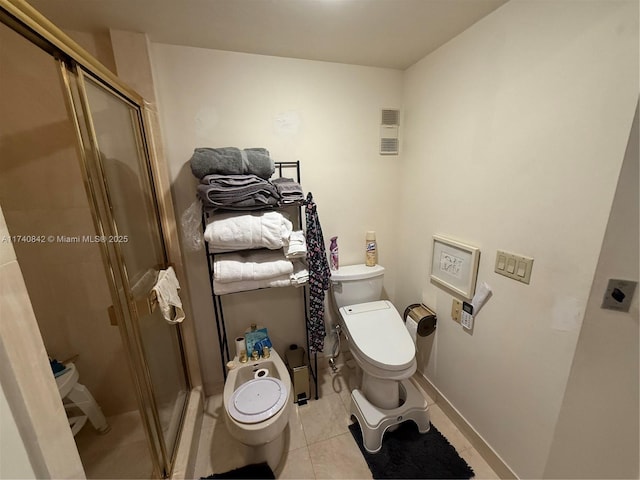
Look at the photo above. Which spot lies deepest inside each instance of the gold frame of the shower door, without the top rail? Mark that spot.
(131, 304)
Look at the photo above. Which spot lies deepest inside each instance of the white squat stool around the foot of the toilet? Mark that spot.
(375, 421)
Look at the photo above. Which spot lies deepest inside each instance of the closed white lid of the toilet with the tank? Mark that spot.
(378, 333)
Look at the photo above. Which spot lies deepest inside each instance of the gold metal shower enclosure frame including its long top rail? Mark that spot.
(78, 69)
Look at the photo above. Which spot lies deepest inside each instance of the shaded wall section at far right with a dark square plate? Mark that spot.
(602, 391)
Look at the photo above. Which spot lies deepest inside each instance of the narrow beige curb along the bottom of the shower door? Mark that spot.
(185, 461)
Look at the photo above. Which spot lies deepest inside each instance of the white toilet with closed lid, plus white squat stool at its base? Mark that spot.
(383, 350)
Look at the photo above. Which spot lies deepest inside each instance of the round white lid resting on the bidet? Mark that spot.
(258, 399)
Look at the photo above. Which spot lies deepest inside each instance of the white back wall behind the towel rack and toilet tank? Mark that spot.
(325, 115)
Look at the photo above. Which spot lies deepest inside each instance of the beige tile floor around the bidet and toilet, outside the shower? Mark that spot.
(319, 444)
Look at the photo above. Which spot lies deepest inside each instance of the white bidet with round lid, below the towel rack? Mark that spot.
(257, 409)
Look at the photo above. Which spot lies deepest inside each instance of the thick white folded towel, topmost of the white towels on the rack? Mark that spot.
(230, 231)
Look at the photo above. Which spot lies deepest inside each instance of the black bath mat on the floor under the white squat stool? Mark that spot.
(407, 453)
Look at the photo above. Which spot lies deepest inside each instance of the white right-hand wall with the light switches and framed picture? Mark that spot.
(515, 134)
